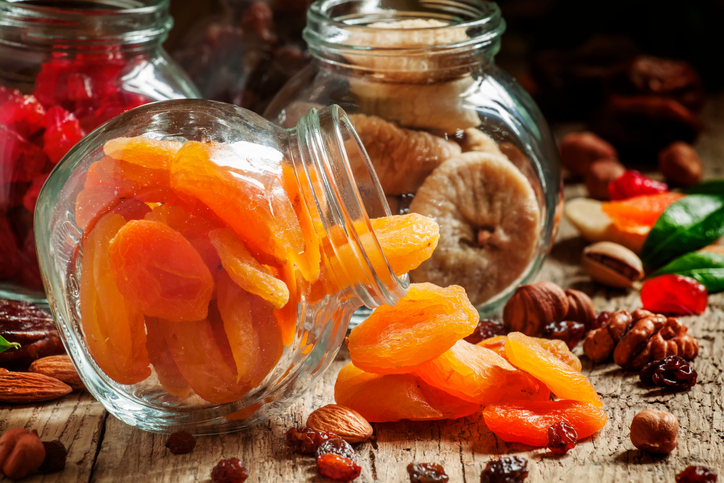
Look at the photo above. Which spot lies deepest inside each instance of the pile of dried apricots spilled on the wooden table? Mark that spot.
(410, 362)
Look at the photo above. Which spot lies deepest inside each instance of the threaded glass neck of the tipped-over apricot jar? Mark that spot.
(337, 182)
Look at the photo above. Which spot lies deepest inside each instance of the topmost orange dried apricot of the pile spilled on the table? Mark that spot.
(425, 323)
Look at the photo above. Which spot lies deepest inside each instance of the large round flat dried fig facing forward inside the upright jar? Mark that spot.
(489, 224)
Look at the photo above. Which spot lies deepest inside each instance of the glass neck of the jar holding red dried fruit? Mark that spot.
(84, 25)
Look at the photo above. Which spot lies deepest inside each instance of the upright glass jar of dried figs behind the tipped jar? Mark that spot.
(450, 135)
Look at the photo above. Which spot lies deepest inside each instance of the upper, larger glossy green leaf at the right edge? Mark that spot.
(691, 223)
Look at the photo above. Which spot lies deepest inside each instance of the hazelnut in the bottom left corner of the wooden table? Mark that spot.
(21, 453)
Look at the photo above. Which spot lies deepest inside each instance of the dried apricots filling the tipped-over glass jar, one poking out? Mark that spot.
(195, 262)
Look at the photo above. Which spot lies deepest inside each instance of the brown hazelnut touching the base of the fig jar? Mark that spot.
(533, 306)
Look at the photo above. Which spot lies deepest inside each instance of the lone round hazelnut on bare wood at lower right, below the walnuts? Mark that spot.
(654, 431)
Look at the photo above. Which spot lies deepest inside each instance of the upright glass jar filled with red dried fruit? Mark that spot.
(66, 67)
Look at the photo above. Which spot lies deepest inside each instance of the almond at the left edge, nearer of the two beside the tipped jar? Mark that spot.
(29, 387)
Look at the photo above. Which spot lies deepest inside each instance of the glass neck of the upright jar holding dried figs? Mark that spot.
(457, 35)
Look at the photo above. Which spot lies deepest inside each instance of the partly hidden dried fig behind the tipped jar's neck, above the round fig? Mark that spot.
(402, 158)
